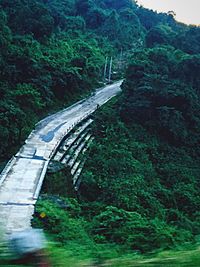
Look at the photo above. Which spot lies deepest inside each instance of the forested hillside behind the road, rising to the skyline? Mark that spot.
(52, 52)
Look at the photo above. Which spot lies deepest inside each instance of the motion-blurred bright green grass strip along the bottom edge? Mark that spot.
(75, 254)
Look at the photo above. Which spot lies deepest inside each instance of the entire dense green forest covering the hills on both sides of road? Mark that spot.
(140, 189)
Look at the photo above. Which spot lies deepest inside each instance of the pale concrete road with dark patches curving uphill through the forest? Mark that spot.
(21, 181)
